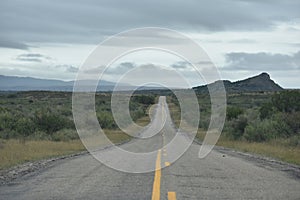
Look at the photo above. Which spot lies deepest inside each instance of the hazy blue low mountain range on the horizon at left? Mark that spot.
(14, 83)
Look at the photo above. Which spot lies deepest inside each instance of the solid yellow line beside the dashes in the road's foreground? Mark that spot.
(156, 183)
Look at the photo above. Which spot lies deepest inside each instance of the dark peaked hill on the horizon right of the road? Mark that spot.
(259, 83)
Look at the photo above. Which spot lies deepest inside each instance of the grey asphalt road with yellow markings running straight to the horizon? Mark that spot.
(221, 175)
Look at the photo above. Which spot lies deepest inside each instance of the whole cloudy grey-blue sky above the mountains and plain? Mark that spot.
(52, 38)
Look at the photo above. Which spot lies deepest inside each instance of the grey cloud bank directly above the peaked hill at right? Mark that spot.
(262, 61)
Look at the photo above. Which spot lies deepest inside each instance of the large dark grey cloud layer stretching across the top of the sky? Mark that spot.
(75, 21)
